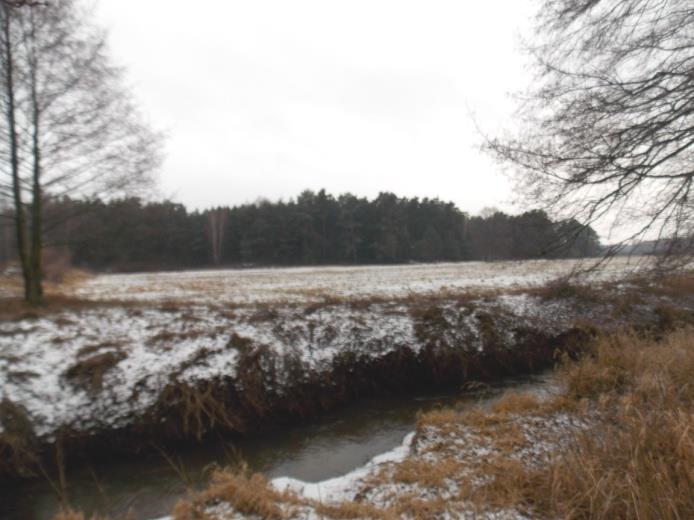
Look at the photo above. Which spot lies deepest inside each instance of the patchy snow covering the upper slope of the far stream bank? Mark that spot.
(104, 367)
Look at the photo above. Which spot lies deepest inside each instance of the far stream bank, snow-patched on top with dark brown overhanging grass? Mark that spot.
(109, 379)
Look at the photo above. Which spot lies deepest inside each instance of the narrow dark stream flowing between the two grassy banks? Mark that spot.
(325, 447)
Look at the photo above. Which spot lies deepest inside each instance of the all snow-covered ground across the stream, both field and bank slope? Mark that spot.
(103, 366)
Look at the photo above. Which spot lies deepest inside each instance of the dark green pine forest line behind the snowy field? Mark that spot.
(314, 228)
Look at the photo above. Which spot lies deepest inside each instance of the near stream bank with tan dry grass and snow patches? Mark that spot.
(614, 440)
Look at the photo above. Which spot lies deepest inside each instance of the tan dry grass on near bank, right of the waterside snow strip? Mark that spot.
(636, 460)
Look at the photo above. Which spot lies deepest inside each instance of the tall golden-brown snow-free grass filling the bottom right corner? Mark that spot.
(639, 461)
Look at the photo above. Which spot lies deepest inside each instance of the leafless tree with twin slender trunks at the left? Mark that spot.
(72, 128)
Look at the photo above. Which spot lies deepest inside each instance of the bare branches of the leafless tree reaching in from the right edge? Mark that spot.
(606, 131)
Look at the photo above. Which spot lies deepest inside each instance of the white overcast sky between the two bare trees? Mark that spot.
(267, 98)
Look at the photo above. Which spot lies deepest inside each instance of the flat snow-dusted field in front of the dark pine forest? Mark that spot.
(306, 284)
